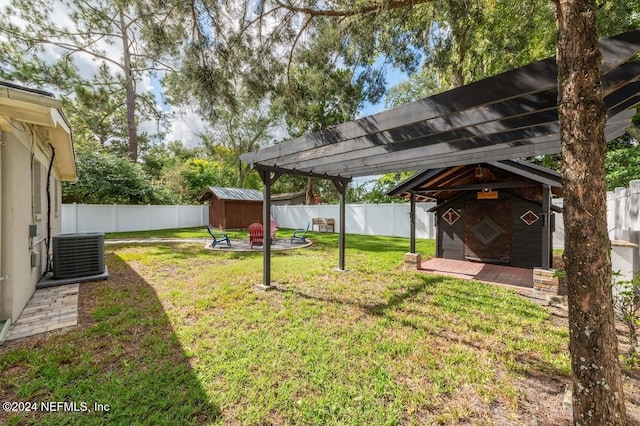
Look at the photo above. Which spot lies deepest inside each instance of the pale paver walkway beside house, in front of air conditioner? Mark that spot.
(48, 309)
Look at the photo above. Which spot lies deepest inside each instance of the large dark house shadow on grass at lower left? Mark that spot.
(124, 355)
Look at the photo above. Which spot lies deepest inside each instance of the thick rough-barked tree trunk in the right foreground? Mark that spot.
(597, 384)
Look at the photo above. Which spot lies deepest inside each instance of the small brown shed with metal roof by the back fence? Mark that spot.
(233, 208)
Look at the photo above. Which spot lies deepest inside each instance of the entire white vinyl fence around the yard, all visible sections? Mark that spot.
(623, 217)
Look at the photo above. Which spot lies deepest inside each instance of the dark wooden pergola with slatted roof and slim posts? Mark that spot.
(507, 116)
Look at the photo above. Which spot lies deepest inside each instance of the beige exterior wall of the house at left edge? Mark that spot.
(17, 214)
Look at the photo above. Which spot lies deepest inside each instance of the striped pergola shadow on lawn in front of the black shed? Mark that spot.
(464, 302)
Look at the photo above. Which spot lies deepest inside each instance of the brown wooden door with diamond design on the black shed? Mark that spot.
(487, 231)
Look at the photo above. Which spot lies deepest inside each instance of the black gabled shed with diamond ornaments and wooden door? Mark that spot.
(496, 212)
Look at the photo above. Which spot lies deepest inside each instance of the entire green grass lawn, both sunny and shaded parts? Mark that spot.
(180, 335)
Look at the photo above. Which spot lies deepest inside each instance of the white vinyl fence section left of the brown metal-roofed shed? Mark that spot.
(119, 218)
